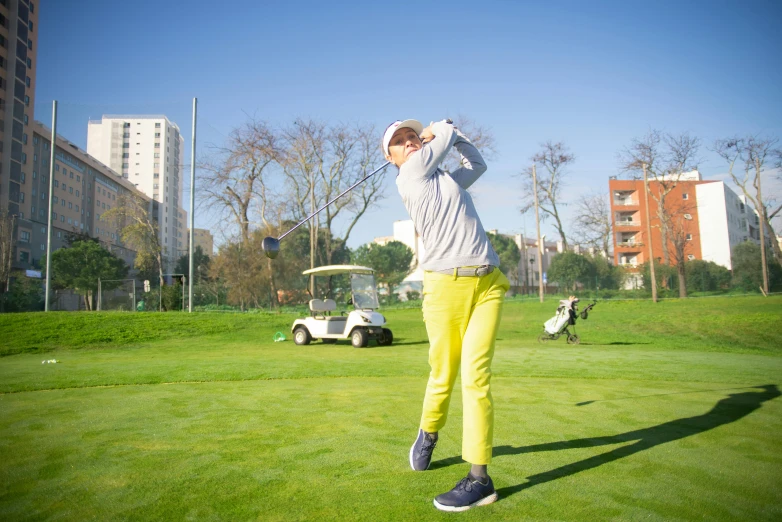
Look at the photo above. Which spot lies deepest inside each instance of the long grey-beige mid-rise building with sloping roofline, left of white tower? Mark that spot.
(83, 189)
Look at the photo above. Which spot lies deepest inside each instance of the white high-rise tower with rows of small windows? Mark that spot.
(149, 152)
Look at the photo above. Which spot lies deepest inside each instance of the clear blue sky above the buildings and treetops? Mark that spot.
(594, 75)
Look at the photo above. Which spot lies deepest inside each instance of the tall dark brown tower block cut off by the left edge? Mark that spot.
(18, 60)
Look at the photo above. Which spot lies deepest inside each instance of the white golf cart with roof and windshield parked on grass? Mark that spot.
(360, 325)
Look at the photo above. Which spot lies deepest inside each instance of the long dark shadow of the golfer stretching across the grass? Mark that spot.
(730, 409)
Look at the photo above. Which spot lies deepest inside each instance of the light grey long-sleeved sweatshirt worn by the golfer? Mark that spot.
(440, 206)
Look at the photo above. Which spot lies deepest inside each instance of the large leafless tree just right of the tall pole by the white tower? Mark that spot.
(239, 176)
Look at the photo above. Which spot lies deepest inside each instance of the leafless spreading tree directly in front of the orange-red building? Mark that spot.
(667, 157)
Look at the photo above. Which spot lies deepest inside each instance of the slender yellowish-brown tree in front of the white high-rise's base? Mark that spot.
(138, 228)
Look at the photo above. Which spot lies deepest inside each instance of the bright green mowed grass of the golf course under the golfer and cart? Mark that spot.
(664, 412)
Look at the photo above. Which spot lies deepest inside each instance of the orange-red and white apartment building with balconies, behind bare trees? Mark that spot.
(711, 216)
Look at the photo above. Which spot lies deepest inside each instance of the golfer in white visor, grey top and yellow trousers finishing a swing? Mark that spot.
(463, 296)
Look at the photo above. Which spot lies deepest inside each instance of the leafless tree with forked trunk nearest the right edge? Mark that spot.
(754, 153)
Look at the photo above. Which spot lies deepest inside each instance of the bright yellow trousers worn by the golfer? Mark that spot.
(462, 315)
